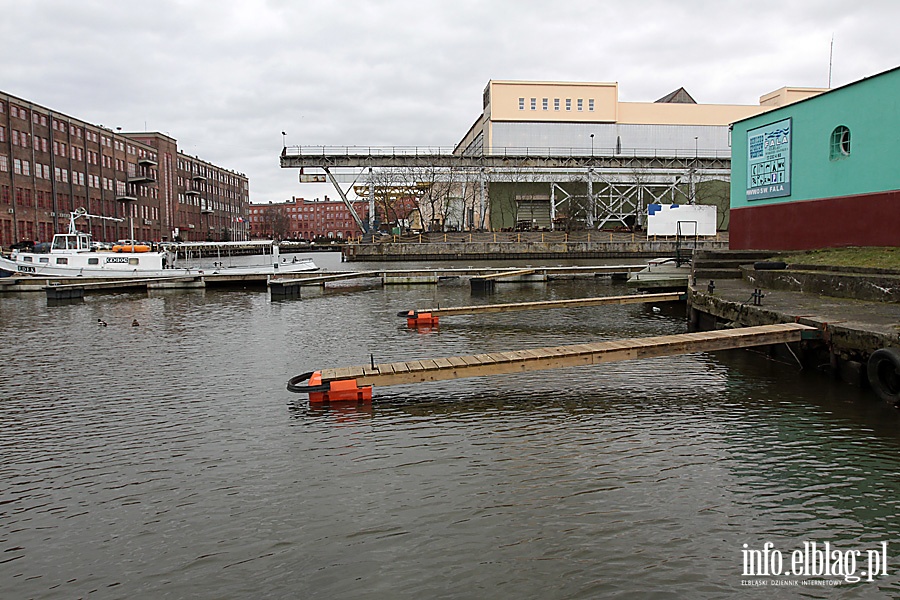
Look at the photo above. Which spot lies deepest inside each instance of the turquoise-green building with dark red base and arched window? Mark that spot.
(822, 172)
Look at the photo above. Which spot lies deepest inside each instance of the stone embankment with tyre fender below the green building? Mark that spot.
(856, 309)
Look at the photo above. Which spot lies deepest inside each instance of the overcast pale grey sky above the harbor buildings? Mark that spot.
(226, 77)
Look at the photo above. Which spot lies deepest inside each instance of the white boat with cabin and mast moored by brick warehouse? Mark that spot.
(71, 255)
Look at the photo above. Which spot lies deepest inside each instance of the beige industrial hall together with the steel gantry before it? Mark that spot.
(554, 156)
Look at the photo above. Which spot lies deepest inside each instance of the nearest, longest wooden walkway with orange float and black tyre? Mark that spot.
(337, 384)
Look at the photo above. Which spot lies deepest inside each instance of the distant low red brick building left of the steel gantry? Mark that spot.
(301, 219)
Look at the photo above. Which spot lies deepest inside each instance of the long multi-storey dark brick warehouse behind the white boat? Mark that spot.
(52, 164)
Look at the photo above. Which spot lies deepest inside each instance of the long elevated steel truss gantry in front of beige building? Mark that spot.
(617, 189)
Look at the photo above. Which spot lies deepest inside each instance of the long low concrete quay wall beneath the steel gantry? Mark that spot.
(463, 250)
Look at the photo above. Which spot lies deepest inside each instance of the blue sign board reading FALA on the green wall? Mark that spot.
(769, 161)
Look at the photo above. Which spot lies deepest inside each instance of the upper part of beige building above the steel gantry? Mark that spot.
(570, 116)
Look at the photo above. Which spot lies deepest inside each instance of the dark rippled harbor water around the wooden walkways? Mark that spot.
(167, 460)
